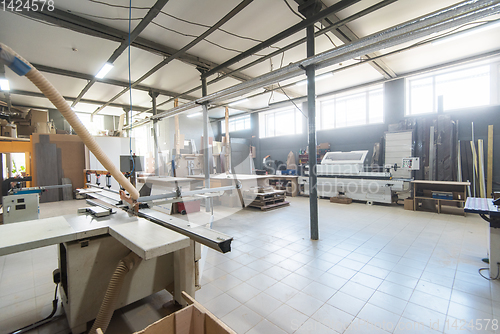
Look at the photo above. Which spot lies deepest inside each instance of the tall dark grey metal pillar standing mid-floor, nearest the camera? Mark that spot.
(311, 113)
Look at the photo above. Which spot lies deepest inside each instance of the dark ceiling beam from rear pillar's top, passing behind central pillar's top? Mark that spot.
(282, 35)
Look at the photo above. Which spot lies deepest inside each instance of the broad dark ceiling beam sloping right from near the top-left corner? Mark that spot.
(88, 27)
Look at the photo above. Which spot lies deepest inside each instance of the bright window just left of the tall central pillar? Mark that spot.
(280, 122)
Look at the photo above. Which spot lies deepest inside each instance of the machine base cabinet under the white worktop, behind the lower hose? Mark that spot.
(86, 268)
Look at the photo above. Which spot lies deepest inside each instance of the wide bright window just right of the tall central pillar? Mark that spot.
(360, 107)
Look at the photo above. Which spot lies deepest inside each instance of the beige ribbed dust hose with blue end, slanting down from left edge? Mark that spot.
(23, 67)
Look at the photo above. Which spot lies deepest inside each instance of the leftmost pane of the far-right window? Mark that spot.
(421, 96)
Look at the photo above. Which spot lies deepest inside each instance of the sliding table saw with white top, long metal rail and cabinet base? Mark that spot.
(93, 241)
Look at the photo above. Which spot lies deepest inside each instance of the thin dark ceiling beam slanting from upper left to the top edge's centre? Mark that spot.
(209, 31)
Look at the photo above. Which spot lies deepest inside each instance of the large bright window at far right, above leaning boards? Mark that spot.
(461, 87)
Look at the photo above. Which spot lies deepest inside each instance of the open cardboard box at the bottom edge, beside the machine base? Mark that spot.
(194, 319)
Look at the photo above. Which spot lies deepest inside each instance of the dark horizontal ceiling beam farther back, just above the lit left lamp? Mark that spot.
(79, 75)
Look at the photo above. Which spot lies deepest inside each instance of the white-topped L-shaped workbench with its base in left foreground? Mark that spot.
(90, 249)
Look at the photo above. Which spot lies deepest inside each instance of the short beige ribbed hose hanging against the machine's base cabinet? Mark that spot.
(113, 292)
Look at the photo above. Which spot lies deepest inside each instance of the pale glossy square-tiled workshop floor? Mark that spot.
(375, 269)
